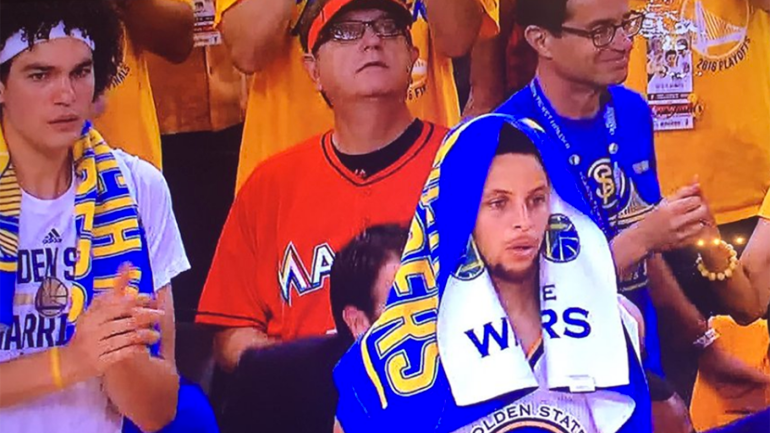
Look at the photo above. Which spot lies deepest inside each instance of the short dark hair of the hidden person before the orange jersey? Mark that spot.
(357, 266)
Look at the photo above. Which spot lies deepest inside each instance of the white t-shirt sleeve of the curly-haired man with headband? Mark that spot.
(150, 190)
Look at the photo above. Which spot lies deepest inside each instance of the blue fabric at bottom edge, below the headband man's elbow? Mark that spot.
(193, 414)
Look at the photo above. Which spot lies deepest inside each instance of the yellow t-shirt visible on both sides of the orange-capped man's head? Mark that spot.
(284, 108)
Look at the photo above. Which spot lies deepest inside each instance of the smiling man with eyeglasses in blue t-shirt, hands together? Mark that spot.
(605, 132)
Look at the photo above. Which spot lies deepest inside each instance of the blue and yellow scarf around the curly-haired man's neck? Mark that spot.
(109, 232)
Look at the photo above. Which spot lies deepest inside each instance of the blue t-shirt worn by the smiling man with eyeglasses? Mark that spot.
(618, 174)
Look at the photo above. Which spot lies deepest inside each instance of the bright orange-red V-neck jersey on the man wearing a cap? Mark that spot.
(271, 269)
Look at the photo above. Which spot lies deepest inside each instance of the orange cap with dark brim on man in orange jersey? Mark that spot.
(322, 12)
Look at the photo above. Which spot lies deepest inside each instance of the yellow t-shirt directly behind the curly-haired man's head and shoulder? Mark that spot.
(130, 121)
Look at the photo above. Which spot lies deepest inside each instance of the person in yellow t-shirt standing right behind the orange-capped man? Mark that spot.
(262, 36)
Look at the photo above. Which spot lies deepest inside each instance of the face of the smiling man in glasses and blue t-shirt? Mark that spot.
(578, 57)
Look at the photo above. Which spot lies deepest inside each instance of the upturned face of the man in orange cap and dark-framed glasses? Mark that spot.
(368, 67)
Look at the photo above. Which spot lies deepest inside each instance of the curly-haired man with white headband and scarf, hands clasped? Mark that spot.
(88, 239)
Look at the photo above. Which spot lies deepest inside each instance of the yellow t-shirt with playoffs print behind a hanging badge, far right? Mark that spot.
(729, 147)
